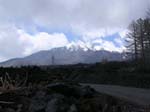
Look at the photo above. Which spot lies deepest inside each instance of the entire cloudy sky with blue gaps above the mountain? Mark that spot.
(28, 26)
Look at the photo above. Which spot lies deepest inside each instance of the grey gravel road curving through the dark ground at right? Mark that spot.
(135, 95)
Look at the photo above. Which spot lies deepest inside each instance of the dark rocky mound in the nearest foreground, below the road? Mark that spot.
(63, 97)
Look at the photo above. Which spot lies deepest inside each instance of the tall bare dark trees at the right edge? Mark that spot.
(138, 40)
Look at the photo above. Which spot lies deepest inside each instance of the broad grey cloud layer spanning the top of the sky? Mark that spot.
(84, 13)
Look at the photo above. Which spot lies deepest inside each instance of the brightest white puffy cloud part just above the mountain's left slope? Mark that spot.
(42, 41)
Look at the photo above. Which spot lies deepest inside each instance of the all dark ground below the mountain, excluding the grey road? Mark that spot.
(58, 89)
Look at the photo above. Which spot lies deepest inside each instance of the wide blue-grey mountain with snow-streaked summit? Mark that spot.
(70, 54)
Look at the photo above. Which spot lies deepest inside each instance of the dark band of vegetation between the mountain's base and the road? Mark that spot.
(115, 73)
